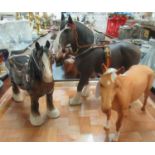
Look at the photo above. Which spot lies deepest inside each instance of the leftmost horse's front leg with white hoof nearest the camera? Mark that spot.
(35, 118)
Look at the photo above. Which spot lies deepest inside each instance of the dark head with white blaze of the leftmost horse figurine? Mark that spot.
(41, 58)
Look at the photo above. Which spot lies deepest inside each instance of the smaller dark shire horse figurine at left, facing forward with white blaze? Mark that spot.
(34, 74)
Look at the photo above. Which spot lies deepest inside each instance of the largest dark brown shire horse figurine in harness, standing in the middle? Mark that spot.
(90, 57)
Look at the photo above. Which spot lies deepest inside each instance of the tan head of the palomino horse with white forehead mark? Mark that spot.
(108, 87)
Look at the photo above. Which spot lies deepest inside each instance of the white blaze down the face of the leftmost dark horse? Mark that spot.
(47, 71)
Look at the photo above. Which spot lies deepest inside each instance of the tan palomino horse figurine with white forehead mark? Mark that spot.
(119, 91)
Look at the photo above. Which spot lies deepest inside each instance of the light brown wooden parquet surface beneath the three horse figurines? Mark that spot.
(76, 123)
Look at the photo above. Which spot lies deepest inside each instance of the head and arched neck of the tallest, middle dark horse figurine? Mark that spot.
(71, 37)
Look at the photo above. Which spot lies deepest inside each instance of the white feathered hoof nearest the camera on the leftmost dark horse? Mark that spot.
(37, 120)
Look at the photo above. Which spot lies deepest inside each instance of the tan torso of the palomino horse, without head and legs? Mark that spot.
(133, 83)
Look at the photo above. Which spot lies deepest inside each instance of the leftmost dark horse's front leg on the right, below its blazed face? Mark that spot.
(52, 112)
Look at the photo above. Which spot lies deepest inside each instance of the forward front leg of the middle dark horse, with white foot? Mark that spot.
(76, 100)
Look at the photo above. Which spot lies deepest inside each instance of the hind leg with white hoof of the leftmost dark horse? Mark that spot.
(17, 95)
